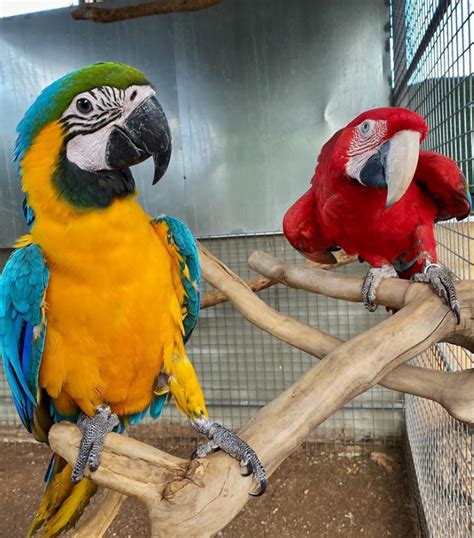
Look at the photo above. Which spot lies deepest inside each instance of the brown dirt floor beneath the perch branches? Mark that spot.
(323, 492)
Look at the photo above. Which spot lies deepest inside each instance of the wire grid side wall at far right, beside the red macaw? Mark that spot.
(432, 64)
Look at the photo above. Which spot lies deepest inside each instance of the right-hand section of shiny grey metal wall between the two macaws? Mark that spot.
(261, 85)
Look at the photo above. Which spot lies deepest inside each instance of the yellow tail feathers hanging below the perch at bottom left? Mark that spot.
(63, 502)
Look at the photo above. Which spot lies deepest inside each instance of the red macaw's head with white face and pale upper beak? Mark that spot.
(380, 149)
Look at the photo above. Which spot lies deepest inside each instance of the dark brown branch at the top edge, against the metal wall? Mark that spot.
(157, 7)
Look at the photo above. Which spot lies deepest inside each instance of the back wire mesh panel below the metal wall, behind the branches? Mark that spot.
(242, 368)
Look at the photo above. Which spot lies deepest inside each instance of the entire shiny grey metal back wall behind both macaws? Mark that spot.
(252, 89)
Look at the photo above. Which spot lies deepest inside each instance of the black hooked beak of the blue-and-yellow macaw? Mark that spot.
(145, 133)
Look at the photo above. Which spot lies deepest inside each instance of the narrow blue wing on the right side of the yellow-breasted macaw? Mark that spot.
(190, 270)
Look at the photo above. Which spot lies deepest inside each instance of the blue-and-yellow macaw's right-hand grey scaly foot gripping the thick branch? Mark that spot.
(228, 441)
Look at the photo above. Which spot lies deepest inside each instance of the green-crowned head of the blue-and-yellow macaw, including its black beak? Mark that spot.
(99, 120)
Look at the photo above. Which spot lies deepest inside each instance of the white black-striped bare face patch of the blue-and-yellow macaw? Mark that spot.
(110, 107)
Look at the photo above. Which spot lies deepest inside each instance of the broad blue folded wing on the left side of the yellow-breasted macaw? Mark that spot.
(23, 285)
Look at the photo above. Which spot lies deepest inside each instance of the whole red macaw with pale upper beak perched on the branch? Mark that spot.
(375, 194)
